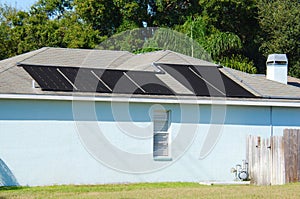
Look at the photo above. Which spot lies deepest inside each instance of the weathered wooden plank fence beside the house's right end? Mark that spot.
(274, 160)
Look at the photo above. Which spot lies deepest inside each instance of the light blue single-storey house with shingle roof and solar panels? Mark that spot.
(74, 116)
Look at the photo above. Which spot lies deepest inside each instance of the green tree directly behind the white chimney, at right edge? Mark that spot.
(280, 24)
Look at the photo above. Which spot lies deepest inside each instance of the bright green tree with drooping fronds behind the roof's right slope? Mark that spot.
(224, 47)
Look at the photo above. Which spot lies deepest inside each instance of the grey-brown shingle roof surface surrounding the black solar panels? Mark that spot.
(15, 80)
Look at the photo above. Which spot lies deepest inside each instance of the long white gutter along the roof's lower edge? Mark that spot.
(178, 100)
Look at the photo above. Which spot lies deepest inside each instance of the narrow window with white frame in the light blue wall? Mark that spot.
(161, 135)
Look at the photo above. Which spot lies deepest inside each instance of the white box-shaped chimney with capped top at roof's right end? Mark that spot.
(277, 65)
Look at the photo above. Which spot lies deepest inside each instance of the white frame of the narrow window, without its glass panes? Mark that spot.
(167, 131)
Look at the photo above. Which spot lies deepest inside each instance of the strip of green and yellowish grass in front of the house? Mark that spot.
(153, 190)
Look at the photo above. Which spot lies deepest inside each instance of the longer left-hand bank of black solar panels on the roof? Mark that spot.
(96, 80)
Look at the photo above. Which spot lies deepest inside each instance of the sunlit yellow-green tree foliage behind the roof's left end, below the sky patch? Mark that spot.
(43, 25)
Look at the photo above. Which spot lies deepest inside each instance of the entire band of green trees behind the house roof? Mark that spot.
(227, 30)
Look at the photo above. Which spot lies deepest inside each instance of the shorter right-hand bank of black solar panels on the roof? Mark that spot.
(206, 81)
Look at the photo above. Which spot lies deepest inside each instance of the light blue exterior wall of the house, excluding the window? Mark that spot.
(41, 144)
